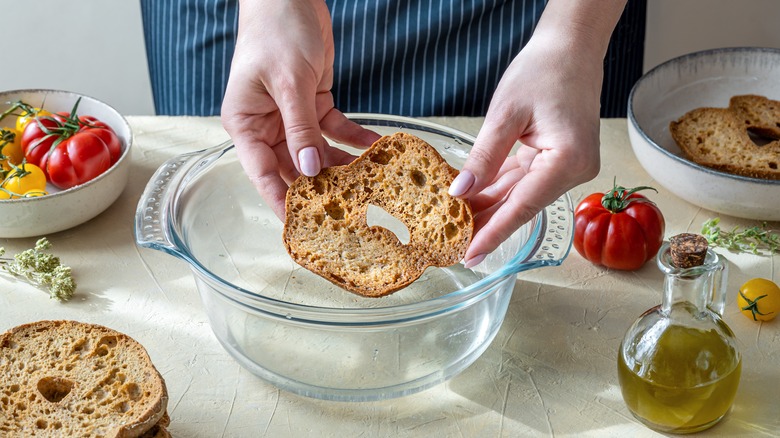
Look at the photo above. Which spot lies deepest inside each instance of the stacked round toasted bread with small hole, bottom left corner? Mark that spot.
(68, 378)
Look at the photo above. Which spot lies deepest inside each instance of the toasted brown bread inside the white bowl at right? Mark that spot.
(743, 139)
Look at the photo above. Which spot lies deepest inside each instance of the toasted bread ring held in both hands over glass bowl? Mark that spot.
(326, 229)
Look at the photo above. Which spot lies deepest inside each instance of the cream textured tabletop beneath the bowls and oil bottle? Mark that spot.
(551, 371)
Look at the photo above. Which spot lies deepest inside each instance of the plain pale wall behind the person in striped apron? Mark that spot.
(96, 46)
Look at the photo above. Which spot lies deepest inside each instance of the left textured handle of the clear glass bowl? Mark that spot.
(152, 216)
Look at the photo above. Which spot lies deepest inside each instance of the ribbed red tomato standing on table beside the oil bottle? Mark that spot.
(620, 229)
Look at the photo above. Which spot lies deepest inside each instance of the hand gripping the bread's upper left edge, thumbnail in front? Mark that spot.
(278, 103)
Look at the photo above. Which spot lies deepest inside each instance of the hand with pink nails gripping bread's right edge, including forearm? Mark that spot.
(548, 99)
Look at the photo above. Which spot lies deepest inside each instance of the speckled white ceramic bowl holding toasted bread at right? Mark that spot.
(707, 78)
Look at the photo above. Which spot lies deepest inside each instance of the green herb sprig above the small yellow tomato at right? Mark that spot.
(758, 240)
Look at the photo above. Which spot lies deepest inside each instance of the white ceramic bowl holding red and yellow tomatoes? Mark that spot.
(63, 209)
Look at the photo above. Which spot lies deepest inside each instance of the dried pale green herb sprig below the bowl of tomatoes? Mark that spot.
(41, 269)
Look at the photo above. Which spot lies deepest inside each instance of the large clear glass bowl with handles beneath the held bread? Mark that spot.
(301, 332)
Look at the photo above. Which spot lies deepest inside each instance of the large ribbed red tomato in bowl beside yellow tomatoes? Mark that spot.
(70, 149)
